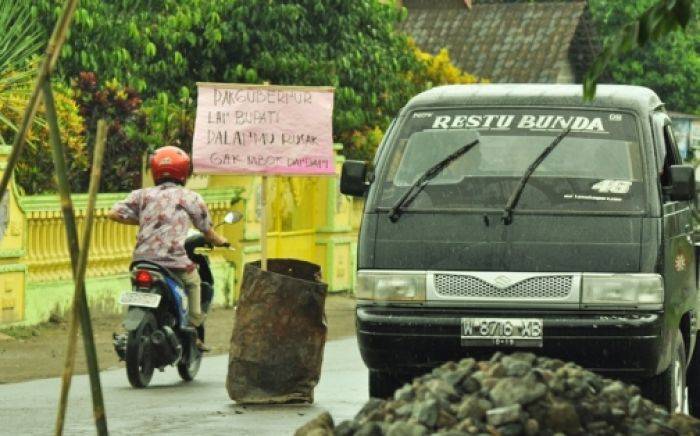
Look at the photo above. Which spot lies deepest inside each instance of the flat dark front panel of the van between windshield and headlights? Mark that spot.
(532, 243)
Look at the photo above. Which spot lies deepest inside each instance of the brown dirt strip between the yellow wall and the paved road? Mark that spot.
(39, 352)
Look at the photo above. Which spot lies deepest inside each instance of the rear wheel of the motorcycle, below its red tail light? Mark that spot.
(139, 352)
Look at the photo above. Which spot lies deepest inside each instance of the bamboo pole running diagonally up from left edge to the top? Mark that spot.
(53, 49)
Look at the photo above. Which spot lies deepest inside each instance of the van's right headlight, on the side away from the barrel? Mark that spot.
(641, 291)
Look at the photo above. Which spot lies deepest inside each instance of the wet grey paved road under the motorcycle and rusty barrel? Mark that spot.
(172, 407)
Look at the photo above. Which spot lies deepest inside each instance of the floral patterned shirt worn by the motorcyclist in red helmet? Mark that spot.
(165, 213)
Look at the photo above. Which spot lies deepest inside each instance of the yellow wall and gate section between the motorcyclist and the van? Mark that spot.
(308, 219)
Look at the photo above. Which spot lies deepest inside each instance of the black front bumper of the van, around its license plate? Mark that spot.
(414, 339)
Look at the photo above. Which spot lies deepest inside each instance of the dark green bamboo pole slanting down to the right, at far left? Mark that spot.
(79, 300)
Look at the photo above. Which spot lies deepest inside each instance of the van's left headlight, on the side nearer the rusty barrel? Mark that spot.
(390, 286)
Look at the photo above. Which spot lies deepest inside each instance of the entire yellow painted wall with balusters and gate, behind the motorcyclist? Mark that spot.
(308, 219)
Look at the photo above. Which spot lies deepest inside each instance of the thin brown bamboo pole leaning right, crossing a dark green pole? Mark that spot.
(95, 177)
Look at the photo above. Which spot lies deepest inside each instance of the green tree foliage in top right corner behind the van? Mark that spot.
(645, 45)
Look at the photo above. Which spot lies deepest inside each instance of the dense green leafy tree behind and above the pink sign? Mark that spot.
(159, 46)
